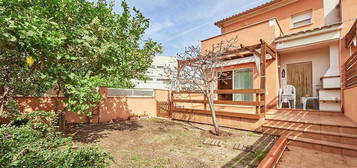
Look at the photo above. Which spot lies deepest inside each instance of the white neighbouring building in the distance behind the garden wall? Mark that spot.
(156, 75)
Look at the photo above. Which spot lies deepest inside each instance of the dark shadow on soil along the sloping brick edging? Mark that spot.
(252, 158)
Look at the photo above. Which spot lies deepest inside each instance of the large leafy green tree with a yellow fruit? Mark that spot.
(72, 46)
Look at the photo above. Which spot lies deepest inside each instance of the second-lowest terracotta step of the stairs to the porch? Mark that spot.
(329, 136)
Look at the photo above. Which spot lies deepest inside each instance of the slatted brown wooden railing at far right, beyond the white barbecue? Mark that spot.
(350, 71)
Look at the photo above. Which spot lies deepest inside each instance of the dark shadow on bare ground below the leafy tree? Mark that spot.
(89, 133)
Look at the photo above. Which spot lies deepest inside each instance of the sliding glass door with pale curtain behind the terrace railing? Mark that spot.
(243, 79)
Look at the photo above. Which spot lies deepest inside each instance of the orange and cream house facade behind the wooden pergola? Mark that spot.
(309, 40)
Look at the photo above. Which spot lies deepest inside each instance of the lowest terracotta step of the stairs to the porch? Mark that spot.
(325, 146)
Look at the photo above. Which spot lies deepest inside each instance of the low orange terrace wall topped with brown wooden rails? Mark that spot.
(192, 106)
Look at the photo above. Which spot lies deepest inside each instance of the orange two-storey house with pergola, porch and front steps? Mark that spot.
(305, 78)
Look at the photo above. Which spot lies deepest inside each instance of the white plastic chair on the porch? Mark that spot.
(286, 94)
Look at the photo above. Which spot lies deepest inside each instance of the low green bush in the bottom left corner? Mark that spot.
(36, 144)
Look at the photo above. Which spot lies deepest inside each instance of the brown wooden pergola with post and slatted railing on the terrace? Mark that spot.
(261, 50)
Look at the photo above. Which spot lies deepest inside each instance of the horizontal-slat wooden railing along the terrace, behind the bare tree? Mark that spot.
(259, 103)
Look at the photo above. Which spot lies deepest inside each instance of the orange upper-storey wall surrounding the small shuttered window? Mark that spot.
(284, 14)
